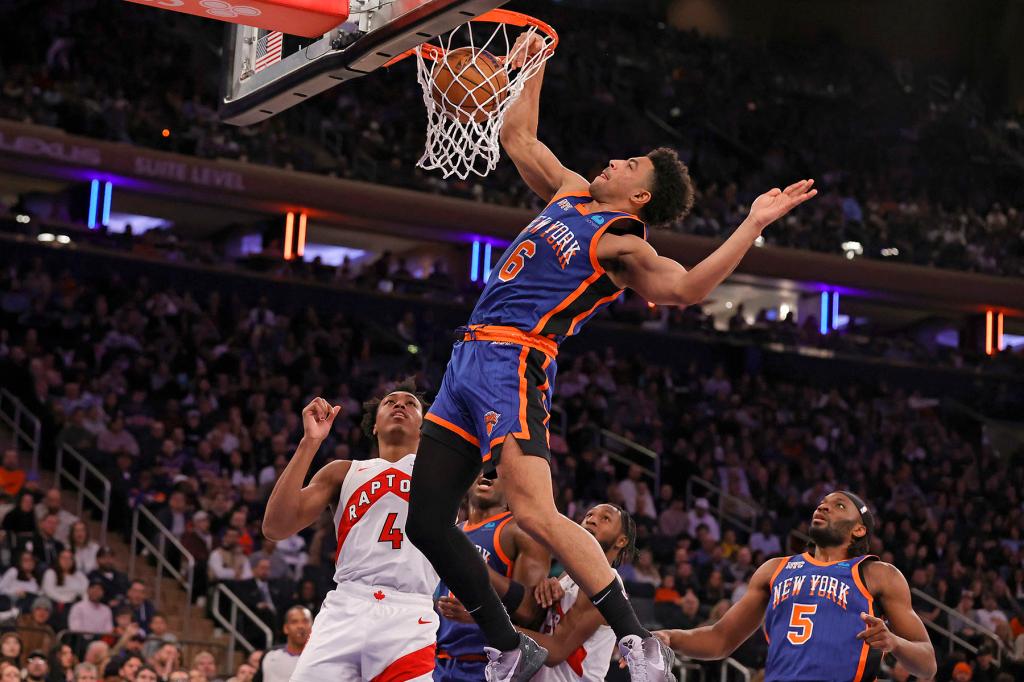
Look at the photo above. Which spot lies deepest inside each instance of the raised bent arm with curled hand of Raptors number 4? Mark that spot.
(292, 507)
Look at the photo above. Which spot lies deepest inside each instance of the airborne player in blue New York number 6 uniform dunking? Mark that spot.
(576, 258)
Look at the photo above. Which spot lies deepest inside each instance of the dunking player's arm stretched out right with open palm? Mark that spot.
(634, 264)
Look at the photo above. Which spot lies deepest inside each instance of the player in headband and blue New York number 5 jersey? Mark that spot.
(829, 614)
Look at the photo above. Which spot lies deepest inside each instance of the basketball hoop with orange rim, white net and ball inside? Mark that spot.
(471, 77)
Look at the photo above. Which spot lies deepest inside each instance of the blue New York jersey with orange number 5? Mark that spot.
(814, 620)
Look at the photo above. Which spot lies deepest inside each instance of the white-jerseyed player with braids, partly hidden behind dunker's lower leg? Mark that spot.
(579, 642)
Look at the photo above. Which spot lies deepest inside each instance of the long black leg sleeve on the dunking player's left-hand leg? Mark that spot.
(441, 478)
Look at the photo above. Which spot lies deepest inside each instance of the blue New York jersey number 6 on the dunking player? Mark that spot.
(549, 281)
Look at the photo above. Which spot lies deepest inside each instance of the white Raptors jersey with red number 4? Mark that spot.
(371, 523)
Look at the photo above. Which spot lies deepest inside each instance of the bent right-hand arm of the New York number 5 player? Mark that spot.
(905, 636)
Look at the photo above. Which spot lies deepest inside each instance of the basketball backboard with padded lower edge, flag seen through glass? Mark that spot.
(268, 72)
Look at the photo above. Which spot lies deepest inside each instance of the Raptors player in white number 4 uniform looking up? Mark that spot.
(379, 622)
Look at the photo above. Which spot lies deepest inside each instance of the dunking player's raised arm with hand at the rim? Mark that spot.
(537, 164)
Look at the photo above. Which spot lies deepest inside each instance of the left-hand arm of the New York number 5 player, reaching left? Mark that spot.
(742, 621)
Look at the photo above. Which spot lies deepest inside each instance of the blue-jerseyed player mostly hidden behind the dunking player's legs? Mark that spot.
(514, 558)
